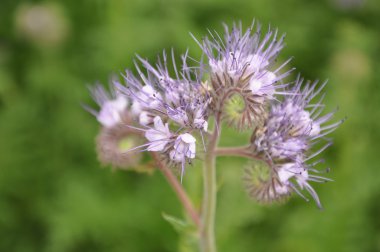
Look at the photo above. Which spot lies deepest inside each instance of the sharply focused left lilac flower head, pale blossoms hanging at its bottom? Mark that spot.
(168, 109)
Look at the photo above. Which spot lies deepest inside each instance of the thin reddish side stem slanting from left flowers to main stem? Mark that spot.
(177, 187)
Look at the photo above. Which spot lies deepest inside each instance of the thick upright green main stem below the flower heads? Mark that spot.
(207, 242)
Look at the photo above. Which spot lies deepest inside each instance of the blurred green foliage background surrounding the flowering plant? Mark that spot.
(54, 196)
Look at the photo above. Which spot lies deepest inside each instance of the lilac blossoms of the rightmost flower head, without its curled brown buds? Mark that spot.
(292, 128)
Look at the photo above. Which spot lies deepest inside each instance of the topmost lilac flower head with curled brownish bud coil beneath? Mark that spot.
(241, 67)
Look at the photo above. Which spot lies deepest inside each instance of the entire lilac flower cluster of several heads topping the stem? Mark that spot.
(171, 107)
